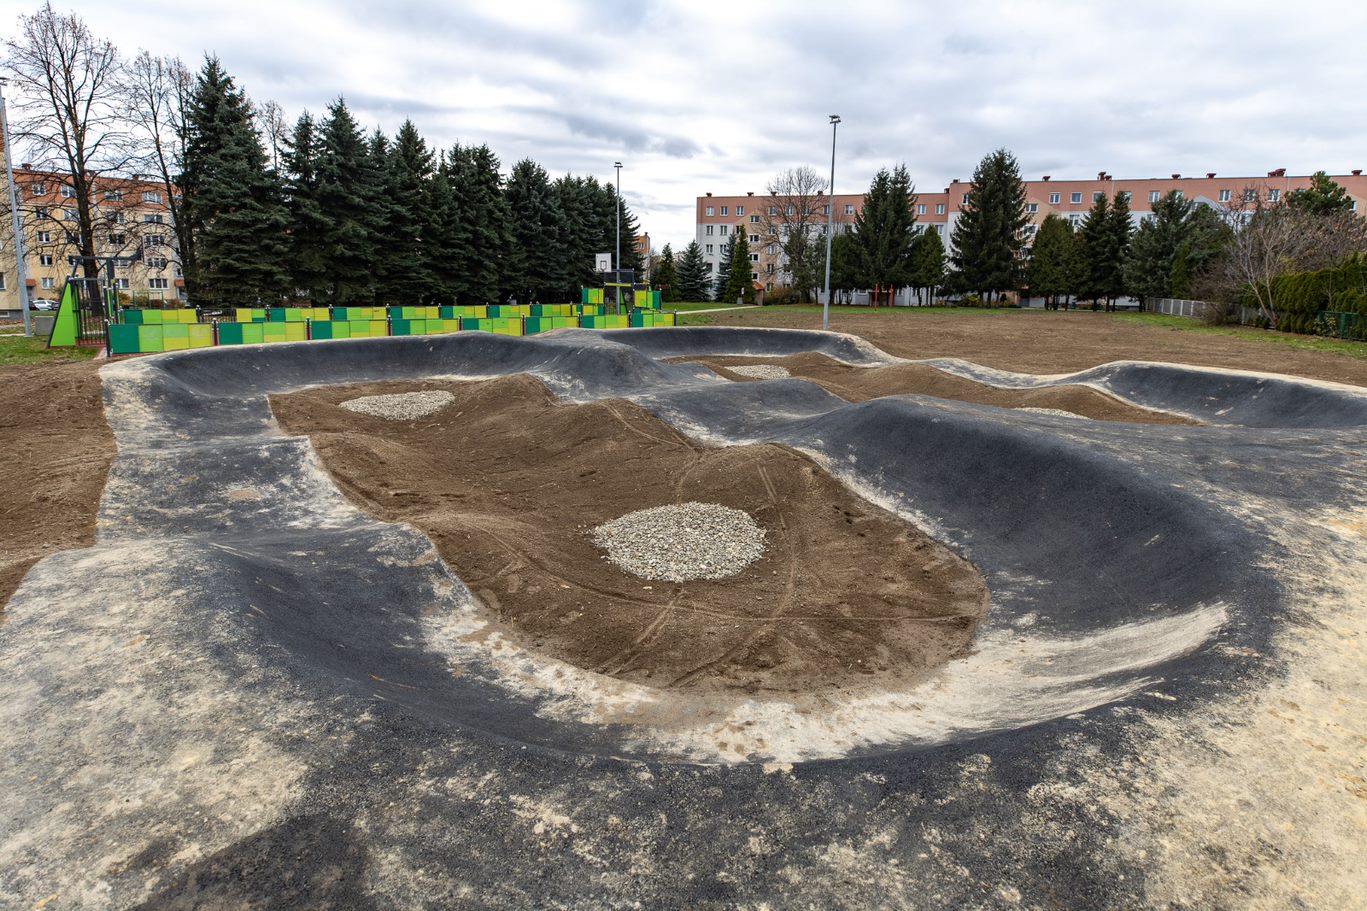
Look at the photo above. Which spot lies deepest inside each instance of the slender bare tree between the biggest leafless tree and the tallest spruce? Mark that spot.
(158, 98)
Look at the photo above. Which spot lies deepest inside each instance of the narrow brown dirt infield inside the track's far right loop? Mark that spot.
(862, 384)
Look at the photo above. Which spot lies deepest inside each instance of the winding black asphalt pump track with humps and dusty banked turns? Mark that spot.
(251, 691)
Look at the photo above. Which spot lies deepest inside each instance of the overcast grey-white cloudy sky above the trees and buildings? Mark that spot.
(707, 95)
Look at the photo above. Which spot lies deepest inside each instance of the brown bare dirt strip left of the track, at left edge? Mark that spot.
(57, 451)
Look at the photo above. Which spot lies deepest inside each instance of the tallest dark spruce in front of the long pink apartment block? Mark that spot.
(988, 235)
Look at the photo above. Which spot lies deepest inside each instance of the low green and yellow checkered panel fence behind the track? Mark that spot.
(150, 332)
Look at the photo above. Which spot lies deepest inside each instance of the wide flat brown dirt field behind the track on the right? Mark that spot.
(1056, 343)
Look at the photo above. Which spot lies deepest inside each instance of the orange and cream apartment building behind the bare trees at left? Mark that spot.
(133, 226)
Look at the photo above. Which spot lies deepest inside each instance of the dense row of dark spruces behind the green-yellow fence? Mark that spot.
(351, 220)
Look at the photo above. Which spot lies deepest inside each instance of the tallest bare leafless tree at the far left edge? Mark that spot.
(70, 103)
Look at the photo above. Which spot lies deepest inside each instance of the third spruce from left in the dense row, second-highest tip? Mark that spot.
(347, 191)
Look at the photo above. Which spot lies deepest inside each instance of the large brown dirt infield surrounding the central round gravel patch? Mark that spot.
(509, 484)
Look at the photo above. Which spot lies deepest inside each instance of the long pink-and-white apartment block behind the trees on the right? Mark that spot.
(718, 217)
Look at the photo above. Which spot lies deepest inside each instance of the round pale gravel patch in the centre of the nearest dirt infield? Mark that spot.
(683, 544)
